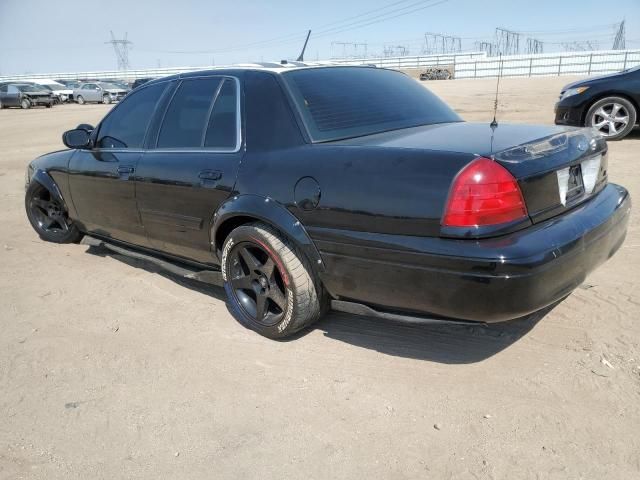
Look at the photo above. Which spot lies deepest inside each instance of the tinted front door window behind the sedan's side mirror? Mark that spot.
(126, 126)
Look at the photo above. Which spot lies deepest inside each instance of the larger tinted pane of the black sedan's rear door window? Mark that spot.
(187, 116)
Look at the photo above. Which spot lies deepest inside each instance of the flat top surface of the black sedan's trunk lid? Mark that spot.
(463, 137)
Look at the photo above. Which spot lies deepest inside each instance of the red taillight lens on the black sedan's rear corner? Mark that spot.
(483, 193)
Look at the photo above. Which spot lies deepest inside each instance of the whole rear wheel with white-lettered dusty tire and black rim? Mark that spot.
(270, 285)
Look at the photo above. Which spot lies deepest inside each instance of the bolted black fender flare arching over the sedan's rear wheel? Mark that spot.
(269, 211)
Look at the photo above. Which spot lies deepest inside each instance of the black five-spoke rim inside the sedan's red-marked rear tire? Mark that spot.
(257, 283)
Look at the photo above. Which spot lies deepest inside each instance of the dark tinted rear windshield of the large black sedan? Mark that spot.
(343, 102)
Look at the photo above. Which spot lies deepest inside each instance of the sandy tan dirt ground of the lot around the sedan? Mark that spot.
(110, 369)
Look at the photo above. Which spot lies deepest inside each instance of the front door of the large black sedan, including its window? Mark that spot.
(101, 179)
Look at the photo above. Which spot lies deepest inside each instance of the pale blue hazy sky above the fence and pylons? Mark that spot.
(38, 36)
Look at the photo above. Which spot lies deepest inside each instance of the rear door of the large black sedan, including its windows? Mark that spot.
(192, 166)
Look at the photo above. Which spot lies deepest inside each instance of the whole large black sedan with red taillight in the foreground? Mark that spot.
(353, 188)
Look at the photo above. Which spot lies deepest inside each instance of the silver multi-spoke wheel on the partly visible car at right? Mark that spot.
(613, 117)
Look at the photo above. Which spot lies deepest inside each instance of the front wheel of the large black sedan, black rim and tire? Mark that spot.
(47, 216)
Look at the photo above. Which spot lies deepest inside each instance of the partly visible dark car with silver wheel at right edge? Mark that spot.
(610, 103)
